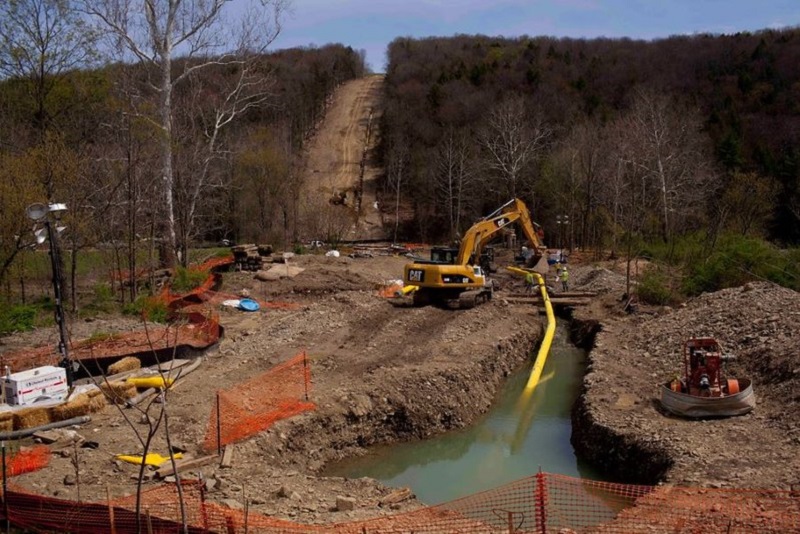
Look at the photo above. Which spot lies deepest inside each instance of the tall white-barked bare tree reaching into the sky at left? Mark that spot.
(156, 32)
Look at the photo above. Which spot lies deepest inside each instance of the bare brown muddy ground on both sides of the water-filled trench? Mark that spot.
(383, 372)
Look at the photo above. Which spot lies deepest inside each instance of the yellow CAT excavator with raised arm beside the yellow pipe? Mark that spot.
(460, 278)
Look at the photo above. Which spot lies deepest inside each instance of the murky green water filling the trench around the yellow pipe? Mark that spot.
(518, 436)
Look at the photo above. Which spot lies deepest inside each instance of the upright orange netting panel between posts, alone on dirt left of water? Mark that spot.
(254, 406)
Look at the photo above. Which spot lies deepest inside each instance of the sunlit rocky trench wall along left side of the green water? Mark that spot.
(400, 405)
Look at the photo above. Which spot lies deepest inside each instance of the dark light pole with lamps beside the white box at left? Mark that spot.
(40, 213)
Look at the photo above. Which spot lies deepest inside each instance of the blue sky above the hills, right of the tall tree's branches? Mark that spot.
(372, 24)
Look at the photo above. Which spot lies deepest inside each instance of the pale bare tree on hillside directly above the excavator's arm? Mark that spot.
(512, 140)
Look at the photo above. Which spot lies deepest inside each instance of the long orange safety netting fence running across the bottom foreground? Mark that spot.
(538, 504)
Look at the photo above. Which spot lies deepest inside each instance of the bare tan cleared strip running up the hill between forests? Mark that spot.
(333, 161)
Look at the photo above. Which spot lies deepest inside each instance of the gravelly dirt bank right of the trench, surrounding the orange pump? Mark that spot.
(620, 427)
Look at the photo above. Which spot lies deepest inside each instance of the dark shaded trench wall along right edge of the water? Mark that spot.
(618, 456)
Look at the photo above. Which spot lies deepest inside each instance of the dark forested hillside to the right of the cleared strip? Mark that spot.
(622, 138)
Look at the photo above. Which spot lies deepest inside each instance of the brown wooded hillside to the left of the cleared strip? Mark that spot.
(90, 138)
